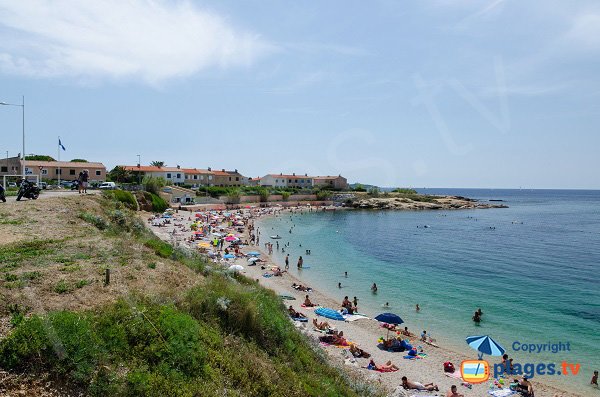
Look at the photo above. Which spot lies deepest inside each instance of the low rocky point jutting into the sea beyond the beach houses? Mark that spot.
(419, 202)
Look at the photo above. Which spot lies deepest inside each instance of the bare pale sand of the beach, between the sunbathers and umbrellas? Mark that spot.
(363, 332)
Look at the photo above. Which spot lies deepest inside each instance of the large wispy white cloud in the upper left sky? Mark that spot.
(147, 40)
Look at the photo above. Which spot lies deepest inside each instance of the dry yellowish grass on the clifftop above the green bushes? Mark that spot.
(45, 248)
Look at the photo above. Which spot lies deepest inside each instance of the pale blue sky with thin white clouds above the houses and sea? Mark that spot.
(432, 93)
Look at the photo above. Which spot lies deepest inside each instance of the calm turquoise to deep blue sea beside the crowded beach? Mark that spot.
(532, 268)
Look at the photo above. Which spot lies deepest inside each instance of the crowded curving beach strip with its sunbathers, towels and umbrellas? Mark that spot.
(401, 360)
